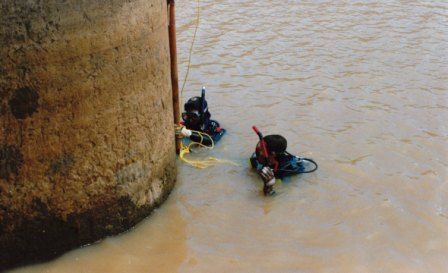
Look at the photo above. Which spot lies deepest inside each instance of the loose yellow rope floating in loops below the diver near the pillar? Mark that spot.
(205, 163)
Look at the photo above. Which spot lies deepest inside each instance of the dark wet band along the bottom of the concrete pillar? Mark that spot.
(47, 236)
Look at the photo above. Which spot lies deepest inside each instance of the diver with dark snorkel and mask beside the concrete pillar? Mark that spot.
(196, 120)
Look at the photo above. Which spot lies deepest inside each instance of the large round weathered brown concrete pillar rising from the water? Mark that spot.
(86, 140)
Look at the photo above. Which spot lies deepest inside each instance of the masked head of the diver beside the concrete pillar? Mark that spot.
(196, 113)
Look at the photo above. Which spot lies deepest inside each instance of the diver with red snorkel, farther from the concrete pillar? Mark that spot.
(271, 160)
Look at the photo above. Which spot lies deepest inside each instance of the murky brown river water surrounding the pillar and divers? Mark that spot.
(361, 87)
